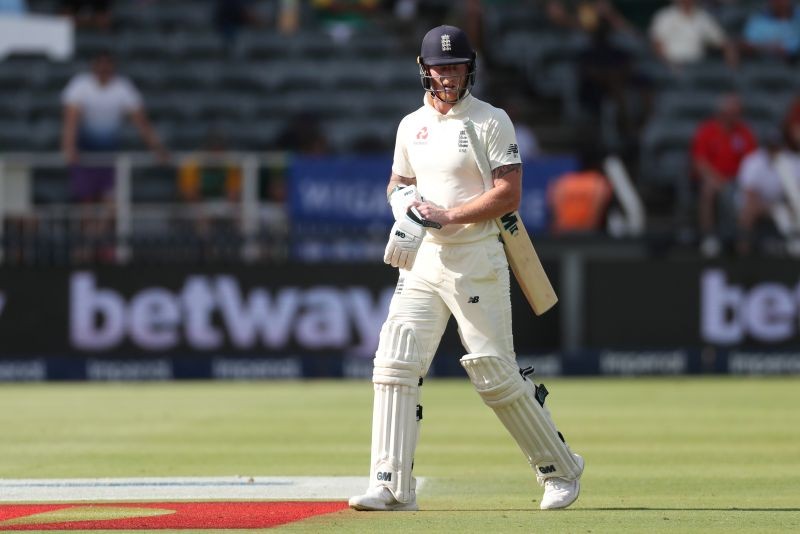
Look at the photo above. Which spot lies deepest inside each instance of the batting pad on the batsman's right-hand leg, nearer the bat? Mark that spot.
(513, 399)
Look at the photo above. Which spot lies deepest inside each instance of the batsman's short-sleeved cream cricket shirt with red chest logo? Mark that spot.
(434, 149)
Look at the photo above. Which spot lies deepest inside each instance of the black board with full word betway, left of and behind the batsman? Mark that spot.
(242, 322)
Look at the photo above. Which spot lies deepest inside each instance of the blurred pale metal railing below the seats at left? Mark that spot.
(121, 215)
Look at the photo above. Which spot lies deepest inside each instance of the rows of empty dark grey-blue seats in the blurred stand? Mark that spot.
(359, 90)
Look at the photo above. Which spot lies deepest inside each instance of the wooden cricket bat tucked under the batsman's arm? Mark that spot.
(522, 257)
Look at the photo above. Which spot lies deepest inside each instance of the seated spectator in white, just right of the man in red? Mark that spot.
(762, 203)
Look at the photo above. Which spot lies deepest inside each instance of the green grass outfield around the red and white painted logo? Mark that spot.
(662, 455)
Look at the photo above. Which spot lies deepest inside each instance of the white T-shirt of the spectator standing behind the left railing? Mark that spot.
(103, 107)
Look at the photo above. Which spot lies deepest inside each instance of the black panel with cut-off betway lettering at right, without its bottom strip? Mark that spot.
(667, 304)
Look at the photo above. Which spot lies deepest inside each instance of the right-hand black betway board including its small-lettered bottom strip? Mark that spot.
(673, 317)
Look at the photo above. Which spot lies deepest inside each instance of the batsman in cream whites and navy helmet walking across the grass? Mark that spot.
(451, 261)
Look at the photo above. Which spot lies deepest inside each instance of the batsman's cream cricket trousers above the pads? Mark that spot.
(469, 281)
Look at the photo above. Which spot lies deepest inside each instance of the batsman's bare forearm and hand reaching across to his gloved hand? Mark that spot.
(504, 197)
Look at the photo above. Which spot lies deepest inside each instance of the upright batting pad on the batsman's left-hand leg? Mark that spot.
(396, 410)
